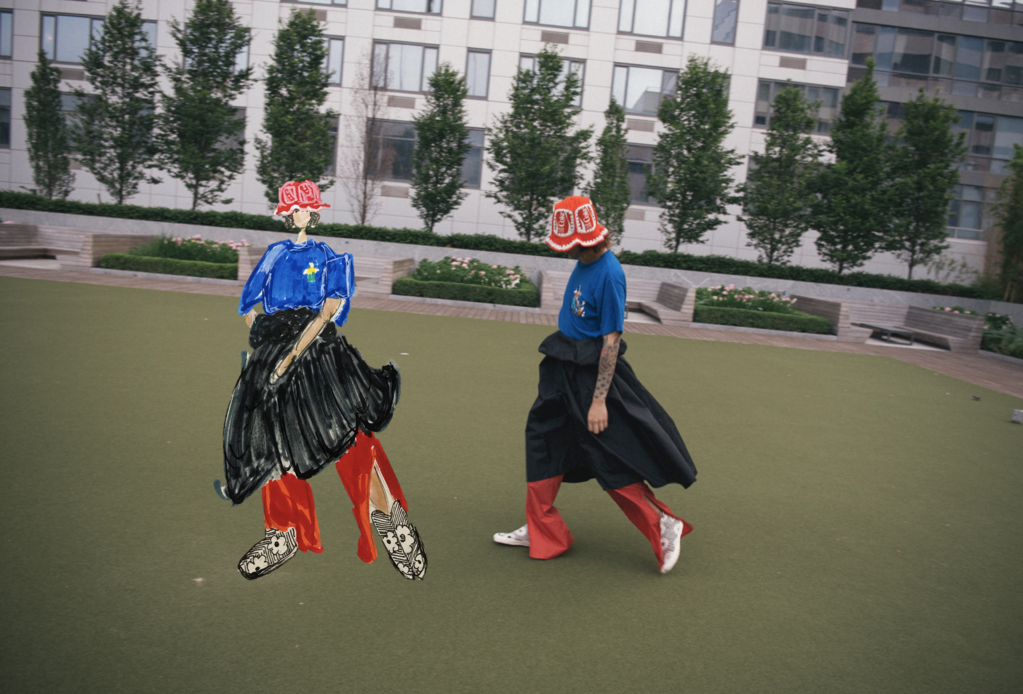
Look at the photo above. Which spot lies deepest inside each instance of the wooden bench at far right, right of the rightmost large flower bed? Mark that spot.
(850, 320)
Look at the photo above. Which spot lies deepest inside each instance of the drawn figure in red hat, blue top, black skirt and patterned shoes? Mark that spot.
(307, 399)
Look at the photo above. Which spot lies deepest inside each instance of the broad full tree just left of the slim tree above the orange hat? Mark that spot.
(532, 151)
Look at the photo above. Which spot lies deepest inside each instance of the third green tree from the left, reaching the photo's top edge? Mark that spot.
(200, 141)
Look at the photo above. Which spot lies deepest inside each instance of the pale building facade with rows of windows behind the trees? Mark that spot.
(633, 50)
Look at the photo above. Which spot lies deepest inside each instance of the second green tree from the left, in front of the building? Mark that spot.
(114, 125)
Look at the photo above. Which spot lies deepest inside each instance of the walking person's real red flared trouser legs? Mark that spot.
(550, 537)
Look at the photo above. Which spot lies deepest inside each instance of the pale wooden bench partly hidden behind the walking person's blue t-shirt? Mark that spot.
(671, 305)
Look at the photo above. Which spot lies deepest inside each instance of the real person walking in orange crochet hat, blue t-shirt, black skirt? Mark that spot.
(593, 418)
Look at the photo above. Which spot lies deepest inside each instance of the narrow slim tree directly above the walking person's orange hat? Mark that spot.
(610, 190)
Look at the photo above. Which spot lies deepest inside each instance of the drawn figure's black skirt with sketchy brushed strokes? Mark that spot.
(308, 418)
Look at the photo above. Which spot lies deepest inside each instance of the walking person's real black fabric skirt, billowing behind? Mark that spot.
(641, 444)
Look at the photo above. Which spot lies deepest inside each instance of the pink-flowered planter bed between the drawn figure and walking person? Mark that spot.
(469, 280)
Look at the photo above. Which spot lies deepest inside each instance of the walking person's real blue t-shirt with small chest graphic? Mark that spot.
(595, 299)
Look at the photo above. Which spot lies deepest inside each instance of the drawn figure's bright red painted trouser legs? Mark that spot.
(288, 503)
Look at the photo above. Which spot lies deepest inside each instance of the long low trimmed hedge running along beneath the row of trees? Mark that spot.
(479, 242)
